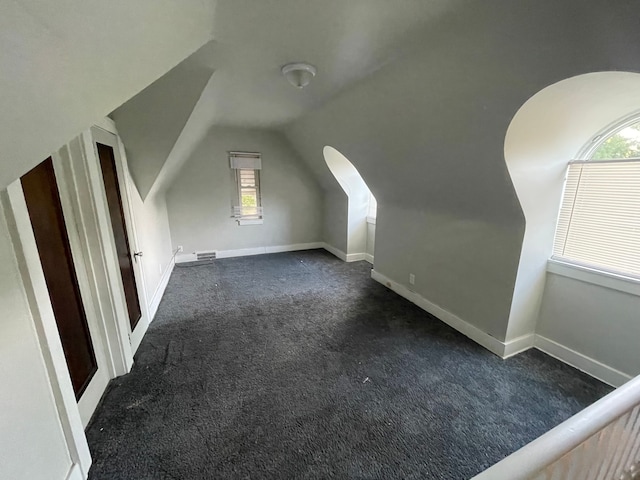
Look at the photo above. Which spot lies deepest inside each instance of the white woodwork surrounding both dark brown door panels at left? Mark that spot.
(86, 215)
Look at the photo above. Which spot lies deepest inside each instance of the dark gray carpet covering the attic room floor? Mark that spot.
(298, 365)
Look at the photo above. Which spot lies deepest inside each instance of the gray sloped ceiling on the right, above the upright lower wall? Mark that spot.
(428, 130)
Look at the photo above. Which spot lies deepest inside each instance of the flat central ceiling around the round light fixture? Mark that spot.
(345, 40)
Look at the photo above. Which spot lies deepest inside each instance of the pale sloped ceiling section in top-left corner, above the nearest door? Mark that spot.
(68, 63)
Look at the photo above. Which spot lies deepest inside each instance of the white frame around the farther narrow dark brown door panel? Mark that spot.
(106, 133)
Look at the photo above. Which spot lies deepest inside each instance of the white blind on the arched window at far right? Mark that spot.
(599, 221)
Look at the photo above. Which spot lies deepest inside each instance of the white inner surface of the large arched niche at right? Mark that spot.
(547, 132)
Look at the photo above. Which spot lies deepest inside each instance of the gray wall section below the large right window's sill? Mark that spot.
(598, 322)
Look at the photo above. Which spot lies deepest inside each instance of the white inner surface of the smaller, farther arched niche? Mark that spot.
(361, 204)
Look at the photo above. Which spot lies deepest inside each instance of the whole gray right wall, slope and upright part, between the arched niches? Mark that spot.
(427, 134)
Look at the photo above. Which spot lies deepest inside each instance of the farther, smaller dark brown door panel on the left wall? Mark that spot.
(110, 176)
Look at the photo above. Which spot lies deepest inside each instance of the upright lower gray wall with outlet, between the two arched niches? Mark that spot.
(459, 264)
